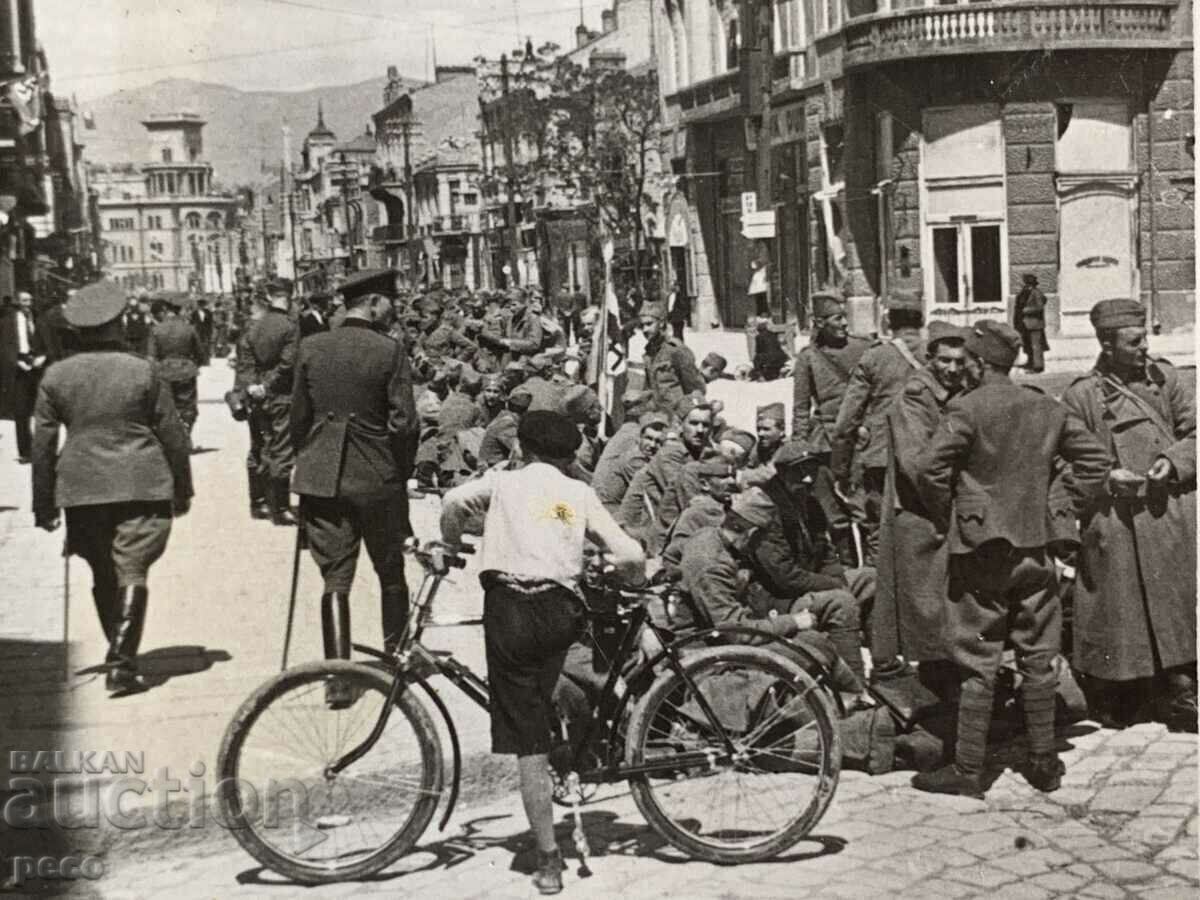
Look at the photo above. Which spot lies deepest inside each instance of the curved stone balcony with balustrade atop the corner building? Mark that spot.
(1006, 27)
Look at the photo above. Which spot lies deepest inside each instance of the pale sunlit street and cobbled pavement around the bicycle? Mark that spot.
(1124, 824)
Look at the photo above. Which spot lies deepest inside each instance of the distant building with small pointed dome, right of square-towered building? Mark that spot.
(333, 219)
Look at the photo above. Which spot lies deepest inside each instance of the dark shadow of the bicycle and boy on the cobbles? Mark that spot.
(608, 837)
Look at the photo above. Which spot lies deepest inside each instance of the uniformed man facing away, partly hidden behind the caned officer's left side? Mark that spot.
(273, 347)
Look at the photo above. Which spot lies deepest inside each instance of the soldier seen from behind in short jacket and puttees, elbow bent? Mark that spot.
(985, 482)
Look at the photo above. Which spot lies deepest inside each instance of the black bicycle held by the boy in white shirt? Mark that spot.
(731, 752)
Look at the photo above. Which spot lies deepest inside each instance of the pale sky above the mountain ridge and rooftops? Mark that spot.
(99, 47)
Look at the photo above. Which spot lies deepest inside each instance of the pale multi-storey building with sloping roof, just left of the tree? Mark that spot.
(427, 181)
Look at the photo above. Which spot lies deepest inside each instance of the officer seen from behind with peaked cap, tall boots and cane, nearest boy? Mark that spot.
(355, 425)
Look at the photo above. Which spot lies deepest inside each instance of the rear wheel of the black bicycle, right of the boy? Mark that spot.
(765, 796)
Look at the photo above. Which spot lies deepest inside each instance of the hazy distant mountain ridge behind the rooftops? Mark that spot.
(244, 128)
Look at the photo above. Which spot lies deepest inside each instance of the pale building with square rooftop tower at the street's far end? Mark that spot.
(164, 224)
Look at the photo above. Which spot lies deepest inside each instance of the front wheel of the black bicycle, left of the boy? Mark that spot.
(302, 821)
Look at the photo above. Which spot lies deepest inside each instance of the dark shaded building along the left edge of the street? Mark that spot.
(46, 236)
